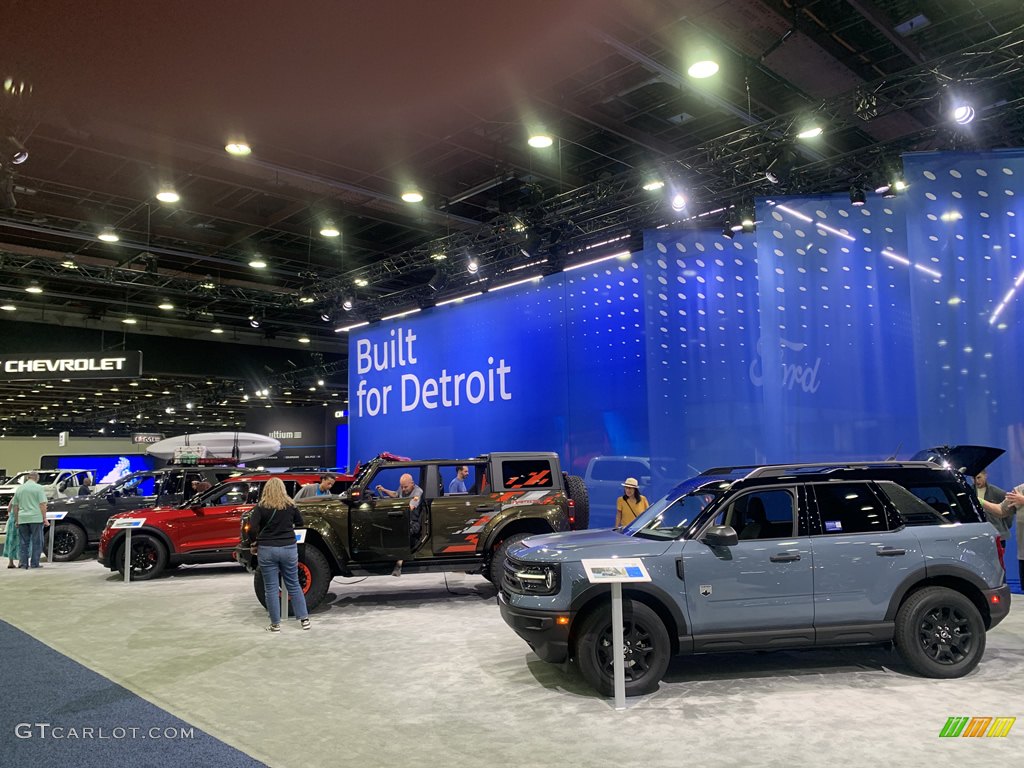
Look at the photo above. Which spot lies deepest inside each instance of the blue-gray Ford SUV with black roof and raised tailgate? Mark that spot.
(783, 557)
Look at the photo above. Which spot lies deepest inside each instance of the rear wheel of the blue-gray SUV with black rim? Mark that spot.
(941, 633)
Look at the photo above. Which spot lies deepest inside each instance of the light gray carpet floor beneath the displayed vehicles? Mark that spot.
(420, 671)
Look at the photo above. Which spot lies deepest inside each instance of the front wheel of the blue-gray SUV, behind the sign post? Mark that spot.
(648, 649)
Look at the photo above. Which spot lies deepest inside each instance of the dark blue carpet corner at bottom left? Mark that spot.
(55, 712)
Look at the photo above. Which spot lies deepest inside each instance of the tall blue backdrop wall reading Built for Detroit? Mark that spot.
(835, 332)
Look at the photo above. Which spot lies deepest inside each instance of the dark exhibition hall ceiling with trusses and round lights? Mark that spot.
(348, 104)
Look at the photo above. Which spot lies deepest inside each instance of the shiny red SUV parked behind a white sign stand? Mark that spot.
(203, 530)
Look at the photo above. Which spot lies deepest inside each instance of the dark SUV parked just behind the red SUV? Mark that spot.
(87, 516)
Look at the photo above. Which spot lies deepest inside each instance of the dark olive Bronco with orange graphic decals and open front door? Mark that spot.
(472, 513)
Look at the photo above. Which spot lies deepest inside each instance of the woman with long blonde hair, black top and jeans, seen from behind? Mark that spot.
(273, 525)
